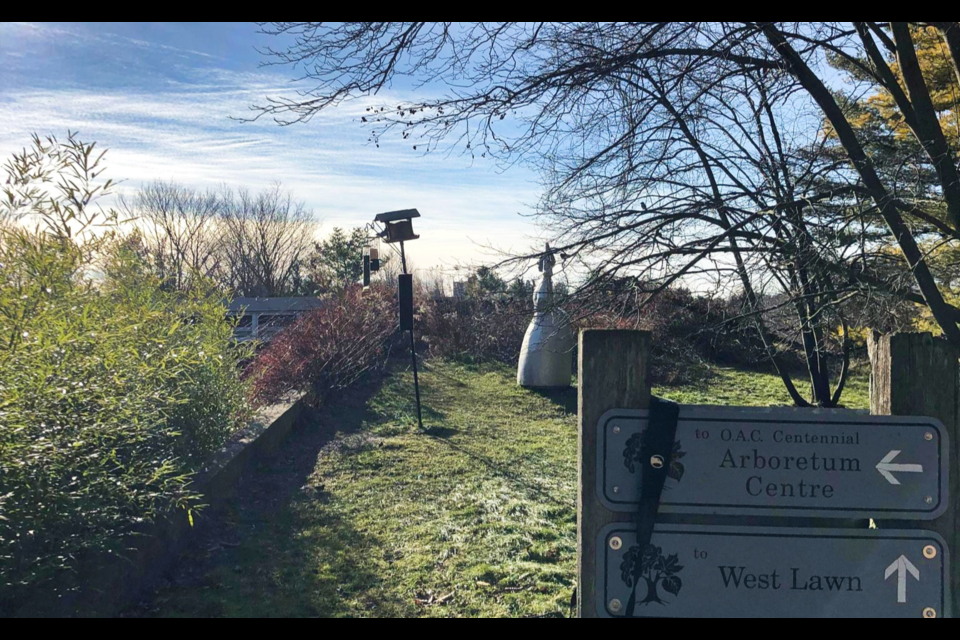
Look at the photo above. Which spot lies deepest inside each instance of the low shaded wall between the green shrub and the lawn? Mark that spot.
(102, 586)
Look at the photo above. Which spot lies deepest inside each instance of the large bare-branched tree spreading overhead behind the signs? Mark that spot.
(683, 150)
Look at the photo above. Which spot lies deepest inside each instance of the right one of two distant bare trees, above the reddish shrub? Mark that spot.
(265, 240)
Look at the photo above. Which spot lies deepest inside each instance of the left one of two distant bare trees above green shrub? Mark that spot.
(180, 229)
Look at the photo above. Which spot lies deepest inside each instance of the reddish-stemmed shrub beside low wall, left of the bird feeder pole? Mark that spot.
(328, 349)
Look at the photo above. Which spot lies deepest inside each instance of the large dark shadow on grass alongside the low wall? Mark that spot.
(279, 548)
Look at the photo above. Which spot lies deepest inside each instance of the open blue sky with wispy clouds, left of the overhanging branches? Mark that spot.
(160, 97)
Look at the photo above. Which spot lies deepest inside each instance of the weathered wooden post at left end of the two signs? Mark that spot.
(613, 373)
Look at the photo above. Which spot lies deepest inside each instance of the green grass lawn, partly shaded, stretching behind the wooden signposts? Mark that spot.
(364, 516)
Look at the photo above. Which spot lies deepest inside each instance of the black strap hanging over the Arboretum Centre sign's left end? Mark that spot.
(656, 452)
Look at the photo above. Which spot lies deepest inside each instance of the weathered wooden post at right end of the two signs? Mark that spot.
(915, 374)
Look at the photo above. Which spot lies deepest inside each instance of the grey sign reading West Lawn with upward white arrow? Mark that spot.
(756, 572)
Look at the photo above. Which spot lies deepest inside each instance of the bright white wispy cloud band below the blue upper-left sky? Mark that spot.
(186, 133)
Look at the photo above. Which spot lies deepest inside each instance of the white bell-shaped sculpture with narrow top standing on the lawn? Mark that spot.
(546, 358)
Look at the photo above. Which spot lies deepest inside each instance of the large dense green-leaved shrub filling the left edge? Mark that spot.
(112, 392)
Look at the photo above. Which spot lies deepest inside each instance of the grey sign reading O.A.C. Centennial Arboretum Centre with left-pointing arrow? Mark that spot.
(783, 462)
